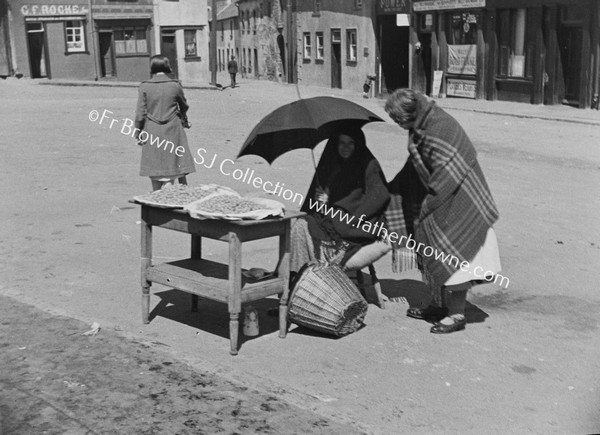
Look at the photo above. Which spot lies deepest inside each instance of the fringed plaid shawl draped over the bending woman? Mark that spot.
(440, 198)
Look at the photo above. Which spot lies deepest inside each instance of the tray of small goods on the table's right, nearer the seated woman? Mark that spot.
(231, 206)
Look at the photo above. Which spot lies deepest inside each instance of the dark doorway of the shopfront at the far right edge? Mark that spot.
(570, 41)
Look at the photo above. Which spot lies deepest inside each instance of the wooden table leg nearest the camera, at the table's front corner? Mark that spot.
(235, 289)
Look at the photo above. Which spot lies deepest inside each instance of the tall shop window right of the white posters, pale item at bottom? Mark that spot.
(515, 54)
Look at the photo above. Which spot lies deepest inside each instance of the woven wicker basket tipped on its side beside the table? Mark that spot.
(323, 298)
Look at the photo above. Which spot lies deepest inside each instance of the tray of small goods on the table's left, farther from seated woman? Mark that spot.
(178, 195)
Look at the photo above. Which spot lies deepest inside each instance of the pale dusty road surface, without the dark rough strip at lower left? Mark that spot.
(527, 363)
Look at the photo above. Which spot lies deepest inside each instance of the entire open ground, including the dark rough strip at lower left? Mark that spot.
(527, 362)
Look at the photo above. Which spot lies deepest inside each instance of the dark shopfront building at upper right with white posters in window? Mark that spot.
(533, 51)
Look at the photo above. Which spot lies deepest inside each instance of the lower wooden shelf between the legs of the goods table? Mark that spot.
(210, 279)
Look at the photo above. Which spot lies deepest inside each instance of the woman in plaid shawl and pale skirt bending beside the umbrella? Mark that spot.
(442, 202)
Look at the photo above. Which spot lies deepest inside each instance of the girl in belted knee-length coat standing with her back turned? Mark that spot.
(159, 119)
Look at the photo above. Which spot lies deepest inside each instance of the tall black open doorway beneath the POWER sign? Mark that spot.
(394, 49)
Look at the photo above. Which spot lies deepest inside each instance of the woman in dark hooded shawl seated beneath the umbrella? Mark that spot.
(345, 204)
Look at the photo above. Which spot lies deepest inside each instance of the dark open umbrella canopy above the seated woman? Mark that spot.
(303, 124)
